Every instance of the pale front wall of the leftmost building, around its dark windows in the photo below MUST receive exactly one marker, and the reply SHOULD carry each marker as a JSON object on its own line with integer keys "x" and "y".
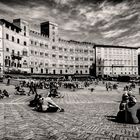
{"x": 9, "y": 46}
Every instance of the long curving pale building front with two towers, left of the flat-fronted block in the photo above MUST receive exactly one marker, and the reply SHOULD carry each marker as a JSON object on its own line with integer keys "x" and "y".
{"x": 31, "y": 50}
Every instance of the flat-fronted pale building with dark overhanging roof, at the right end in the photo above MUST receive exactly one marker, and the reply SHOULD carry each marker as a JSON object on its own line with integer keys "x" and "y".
{"x": 116, "y": 60}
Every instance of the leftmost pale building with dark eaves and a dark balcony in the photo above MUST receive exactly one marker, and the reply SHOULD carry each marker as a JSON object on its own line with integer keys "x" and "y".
{"x": 14, "y": 46}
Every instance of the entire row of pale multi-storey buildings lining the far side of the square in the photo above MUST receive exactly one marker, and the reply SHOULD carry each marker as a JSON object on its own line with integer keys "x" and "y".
{"x": 39, "y": 50}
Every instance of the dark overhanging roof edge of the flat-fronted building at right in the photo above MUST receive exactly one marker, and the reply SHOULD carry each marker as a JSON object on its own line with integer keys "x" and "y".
{"x": 114, "y": 46}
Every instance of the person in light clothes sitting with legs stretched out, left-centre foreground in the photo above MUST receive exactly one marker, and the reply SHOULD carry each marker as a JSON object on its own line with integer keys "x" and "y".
{"x": 48, "y": 105}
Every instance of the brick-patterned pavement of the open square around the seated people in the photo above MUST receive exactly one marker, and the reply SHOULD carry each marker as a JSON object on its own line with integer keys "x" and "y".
{"x": 88, "y": 116}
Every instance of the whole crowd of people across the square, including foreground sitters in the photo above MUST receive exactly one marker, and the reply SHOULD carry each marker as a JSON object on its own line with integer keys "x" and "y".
{"x": 129, "y": 110}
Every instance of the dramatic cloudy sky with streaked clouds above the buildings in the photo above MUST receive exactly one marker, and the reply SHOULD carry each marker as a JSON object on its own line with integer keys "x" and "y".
{"x": 115, "y": 22}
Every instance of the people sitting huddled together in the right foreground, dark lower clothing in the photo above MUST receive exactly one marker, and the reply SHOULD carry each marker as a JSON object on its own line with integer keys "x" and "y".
{"x": 129, "y": 109}
